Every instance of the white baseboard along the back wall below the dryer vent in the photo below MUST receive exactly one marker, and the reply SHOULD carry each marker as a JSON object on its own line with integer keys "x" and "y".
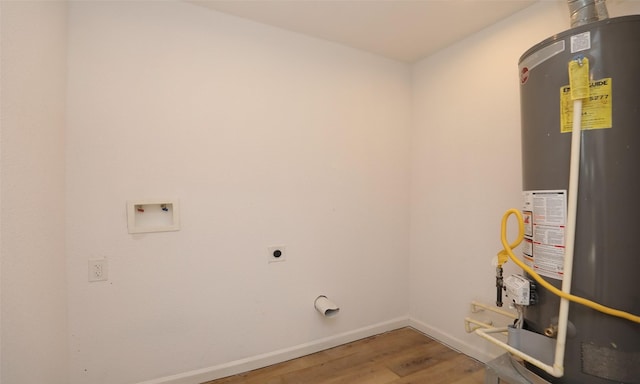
{"x": 260, "y": 361}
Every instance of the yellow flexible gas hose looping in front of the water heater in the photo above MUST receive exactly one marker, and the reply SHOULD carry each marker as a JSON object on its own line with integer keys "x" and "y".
{"x": 507, "y": 253}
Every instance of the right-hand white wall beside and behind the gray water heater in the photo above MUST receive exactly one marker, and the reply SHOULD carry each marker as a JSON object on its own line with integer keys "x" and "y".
{"x": 466, "y": 167}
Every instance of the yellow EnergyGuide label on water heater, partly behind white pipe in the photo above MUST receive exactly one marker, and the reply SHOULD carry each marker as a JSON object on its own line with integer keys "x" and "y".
{"x": 596, "y": 109}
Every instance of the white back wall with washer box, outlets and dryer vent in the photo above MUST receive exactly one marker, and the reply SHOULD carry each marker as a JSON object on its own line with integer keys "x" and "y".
{"x": 266, "y": 137}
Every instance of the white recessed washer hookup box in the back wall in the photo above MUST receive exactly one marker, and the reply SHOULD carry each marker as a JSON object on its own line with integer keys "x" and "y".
{"x": 153, "y": 215}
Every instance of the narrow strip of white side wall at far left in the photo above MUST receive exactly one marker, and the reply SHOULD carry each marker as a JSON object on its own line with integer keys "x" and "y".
{"x": 34, "y": 333}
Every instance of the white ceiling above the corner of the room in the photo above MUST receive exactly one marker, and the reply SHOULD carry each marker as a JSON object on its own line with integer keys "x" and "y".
{"x": 404, "y": 30}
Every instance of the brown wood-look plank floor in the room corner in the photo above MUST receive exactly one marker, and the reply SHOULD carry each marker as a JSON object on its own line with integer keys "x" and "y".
{"x": 403, "y": 356}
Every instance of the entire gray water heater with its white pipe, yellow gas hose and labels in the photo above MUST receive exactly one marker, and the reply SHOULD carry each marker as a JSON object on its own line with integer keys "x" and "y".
{"x": 580, "y": 224}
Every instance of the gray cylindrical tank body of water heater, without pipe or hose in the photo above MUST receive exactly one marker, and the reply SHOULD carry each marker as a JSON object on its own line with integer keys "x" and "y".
{"x": 601, "y": 349}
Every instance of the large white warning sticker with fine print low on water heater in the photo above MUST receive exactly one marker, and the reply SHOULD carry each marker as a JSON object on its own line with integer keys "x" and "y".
{"x": 545, "y": 219}
